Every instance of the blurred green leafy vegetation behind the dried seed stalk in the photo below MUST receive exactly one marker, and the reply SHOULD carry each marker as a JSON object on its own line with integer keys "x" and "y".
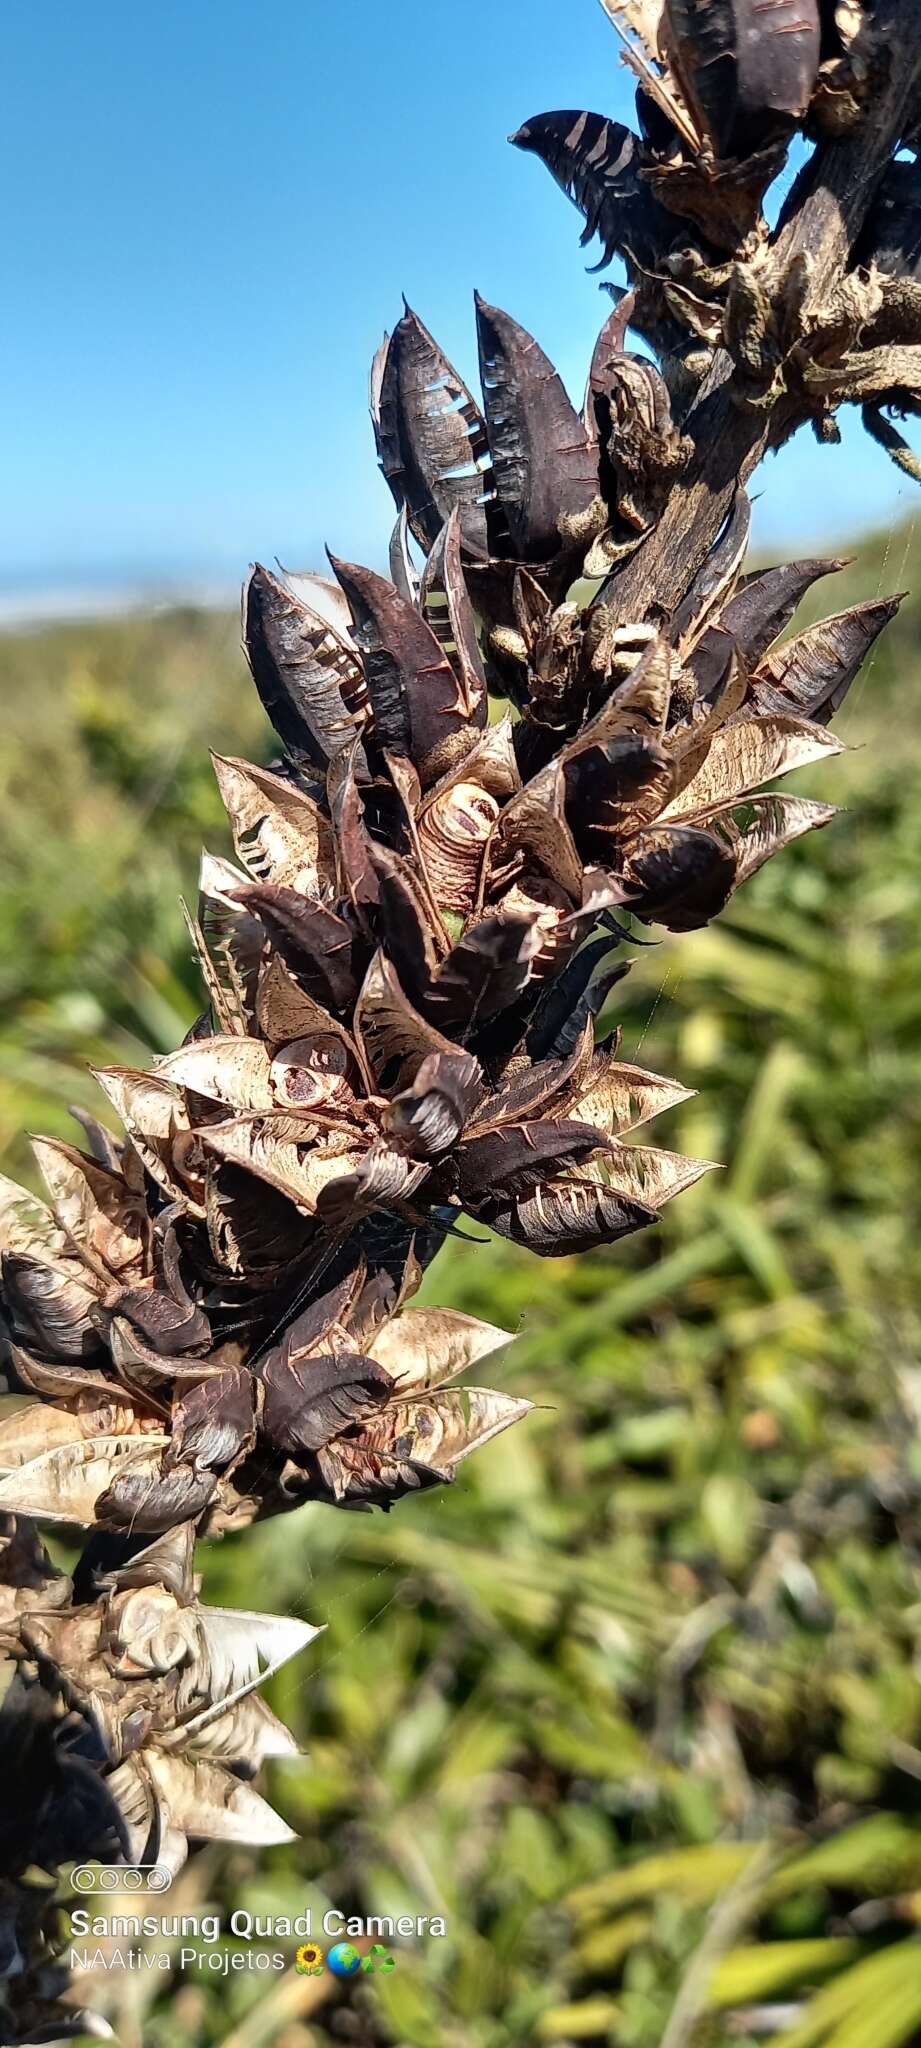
{"x": 635, "y": 1705}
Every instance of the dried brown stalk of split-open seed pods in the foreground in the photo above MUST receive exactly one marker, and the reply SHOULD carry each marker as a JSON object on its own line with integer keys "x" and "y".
{"x": 429, "y": 910}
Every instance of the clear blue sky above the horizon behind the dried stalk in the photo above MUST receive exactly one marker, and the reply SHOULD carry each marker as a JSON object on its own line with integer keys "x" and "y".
{"x": 212, "y": 212}
